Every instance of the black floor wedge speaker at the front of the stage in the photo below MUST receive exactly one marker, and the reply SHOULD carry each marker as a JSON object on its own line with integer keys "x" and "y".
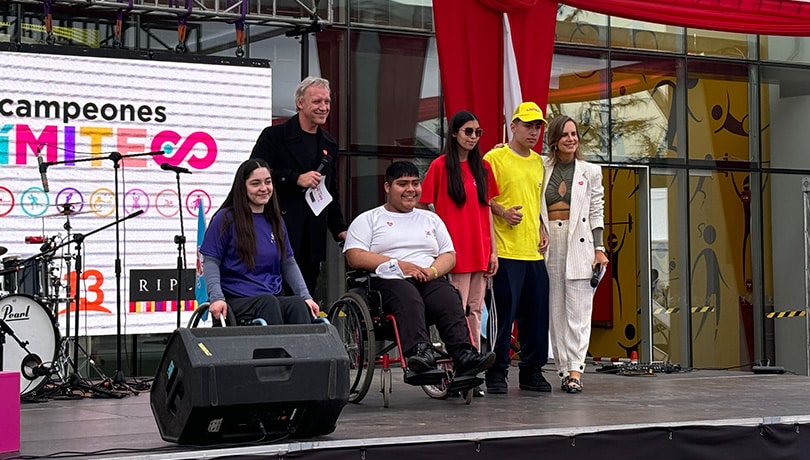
{"x": 250, "y": 383}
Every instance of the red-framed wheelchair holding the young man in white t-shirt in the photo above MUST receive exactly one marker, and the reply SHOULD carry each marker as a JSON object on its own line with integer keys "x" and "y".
{"x": 361, "y": 322}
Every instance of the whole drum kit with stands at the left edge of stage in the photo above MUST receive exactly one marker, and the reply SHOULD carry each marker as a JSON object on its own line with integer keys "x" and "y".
{"x": 30, "y": 299}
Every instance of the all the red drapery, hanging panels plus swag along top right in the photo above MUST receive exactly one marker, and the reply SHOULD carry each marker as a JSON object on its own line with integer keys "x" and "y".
{"x": 469, "y": 38}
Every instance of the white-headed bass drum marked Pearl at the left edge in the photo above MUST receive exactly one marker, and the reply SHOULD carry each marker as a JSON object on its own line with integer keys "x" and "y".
{"x": 32, "y": 323}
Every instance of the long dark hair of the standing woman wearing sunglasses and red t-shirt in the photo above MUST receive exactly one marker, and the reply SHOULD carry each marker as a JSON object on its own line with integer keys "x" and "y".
{"x": 455, "y": 186}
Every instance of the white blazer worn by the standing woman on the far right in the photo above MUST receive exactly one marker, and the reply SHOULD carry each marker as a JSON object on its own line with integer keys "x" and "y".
{"x": 587, "y": 213}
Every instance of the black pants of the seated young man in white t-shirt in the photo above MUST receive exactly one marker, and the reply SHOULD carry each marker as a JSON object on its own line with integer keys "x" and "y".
{"x": 415, "y": 305}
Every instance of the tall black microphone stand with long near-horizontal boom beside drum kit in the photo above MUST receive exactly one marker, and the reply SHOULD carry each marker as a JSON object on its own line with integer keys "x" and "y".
{"x": 116, "y": 158}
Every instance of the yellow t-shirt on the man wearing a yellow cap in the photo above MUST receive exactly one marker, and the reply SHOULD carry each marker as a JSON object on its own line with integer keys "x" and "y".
{"x": 520, "y": 181}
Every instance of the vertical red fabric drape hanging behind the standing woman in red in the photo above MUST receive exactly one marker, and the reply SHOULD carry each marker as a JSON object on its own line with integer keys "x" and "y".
{"x": 469, "y": 39}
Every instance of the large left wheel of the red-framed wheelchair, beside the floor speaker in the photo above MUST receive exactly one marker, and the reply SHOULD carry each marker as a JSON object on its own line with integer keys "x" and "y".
{"x": 351, "y": 317}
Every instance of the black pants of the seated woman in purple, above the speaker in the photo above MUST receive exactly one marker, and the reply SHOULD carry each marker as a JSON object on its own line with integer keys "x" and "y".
{"x": 273, "y": 309}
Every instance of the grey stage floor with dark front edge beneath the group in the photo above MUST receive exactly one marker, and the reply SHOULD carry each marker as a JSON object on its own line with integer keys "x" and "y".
{"x": 697, "y": 414}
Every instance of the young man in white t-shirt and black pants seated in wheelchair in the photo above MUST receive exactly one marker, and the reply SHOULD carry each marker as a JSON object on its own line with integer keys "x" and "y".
{"x": 409, "y": 252}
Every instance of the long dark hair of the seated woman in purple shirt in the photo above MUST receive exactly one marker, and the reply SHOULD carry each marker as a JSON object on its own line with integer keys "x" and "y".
{"x": 241, "y": 216}
